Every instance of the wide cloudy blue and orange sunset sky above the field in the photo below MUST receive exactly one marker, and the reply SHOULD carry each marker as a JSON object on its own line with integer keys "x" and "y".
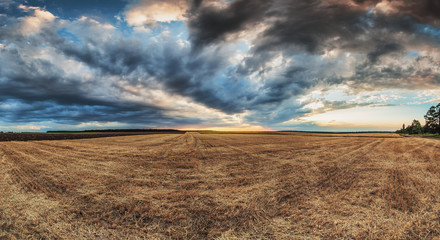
{"x": 317, "y": 65}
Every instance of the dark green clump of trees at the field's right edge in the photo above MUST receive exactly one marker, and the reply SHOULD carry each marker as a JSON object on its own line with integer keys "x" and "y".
{"x": 432, "y": 123}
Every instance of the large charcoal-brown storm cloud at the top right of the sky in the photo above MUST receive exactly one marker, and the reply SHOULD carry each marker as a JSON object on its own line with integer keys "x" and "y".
{"x": 316, "y": 26}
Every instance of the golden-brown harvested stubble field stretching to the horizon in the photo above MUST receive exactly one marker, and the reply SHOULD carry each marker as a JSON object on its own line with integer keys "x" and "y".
{"x": 221, "y": 186}
